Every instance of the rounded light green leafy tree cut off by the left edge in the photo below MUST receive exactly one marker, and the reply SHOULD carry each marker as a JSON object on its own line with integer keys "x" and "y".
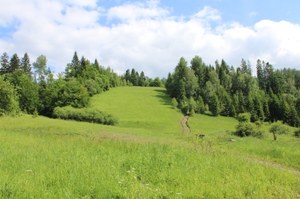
{"x": 8, "y": 100}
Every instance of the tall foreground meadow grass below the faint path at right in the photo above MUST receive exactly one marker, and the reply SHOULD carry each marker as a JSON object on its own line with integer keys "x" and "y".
{"x": 86, "y": 166}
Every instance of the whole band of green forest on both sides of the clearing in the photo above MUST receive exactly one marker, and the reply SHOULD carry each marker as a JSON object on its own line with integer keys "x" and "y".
{"x": 269, "y": 95}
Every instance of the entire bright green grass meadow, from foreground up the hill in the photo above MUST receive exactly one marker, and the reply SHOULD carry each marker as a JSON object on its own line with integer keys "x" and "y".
{"x": 145, "y": 156}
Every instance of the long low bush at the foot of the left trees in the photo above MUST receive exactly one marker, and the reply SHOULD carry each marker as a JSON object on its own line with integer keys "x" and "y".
{"x": 85, "y": 115}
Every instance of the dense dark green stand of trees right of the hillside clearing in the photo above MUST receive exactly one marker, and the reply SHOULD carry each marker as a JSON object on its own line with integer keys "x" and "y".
{"x": 223, "y": 90}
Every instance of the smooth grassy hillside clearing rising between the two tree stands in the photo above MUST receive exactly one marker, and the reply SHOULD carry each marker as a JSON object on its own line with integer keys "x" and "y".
{"x": 143, "y": 110}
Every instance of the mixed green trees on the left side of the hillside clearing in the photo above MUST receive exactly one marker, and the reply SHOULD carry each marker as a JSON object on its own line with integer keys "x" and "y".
{"x": 34, "y": 89}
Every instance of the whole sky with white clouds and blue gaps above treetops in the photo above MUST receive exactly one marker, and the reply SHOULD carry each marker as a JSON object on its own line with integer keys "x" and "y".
{"x": 152, "y": 35}
